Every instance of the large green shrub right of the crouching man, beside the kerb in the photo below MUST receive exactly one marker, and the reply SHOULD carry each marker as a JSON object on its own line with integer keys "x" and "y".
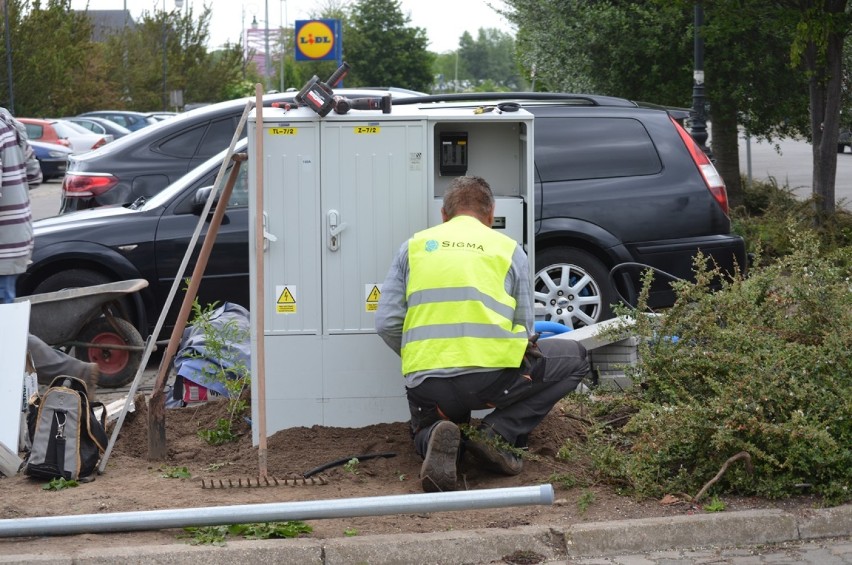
{"x": 761, "y": 365}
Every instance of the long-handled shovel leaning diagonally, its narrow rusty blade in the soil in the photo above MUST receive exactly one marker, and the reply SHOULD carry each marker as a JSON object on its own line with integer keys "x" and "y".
{"x": 157, "y": 405}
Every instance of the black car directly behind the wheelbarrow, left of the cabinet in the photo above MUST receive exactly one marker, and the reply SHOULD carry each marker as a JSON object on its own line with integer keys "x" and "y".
{"x": 147, "y": 241}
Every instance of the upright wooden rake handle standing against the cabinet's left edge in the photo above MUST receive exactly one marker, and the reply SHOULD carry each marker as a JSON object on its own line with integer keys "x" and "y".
{"x": 260, "y": 304}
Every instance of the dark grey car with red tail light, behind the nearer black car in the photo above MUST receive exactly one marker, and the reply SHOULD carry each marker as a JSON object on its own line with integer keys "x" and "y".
{"x": 145, "y": 163}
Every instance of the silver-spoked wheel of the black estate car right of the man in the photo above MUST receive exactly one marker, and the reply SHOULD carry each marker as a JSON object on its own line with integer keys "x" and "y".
{"x": 573, "y": 286}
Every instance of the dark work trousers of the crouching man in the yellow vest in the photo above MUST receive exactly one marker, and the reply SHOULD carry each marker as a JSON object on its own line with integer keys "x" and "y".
{"x": 520, "y": 401}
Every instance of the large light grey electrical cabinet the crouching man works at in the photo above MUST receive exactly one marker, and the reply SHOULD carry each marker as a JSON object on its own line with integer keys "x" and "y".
{"x": 340, "y": 195}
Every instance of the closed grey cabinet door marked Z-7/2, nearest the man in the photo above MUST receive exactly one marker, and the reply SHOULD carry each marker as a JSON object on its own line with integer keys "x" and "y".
{"x": 367, "y": 179}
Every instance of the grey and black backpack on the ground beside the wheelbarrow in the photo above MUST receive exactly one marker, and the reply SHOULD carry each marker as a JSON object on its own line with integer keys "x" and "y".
{"x": 67, "y": 438}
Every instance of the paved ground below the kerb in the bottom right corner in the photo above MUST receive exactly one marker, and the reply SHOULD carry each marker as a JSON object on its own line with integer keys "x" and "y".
{"x": 823, "y": 552}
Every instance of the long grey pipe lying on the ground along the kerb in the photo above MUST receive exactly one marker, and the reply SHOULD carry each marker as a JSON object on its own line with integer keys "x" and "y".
{"x": 277, "y": 512}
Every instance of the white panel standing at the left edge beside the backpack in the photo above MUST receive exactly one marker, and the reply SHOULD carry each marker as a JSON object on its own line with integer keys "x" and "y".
{"x": 15, "y": 323}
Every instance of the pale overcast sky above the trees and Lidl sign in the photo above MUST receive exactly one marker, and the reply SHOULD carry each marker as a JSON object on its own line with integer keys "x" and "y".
{"x": 444, "y": 20}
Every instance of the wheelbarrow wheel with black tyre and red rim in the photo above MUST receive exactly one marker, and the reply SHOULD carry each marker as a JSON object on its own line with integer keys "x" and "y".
{"x": 117, "y": 366}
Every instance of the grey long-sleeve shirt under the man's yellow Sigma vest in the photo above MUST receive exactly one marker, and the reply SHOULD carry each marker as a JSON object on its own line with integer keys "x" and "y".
{"x": 390, "y": 315}
